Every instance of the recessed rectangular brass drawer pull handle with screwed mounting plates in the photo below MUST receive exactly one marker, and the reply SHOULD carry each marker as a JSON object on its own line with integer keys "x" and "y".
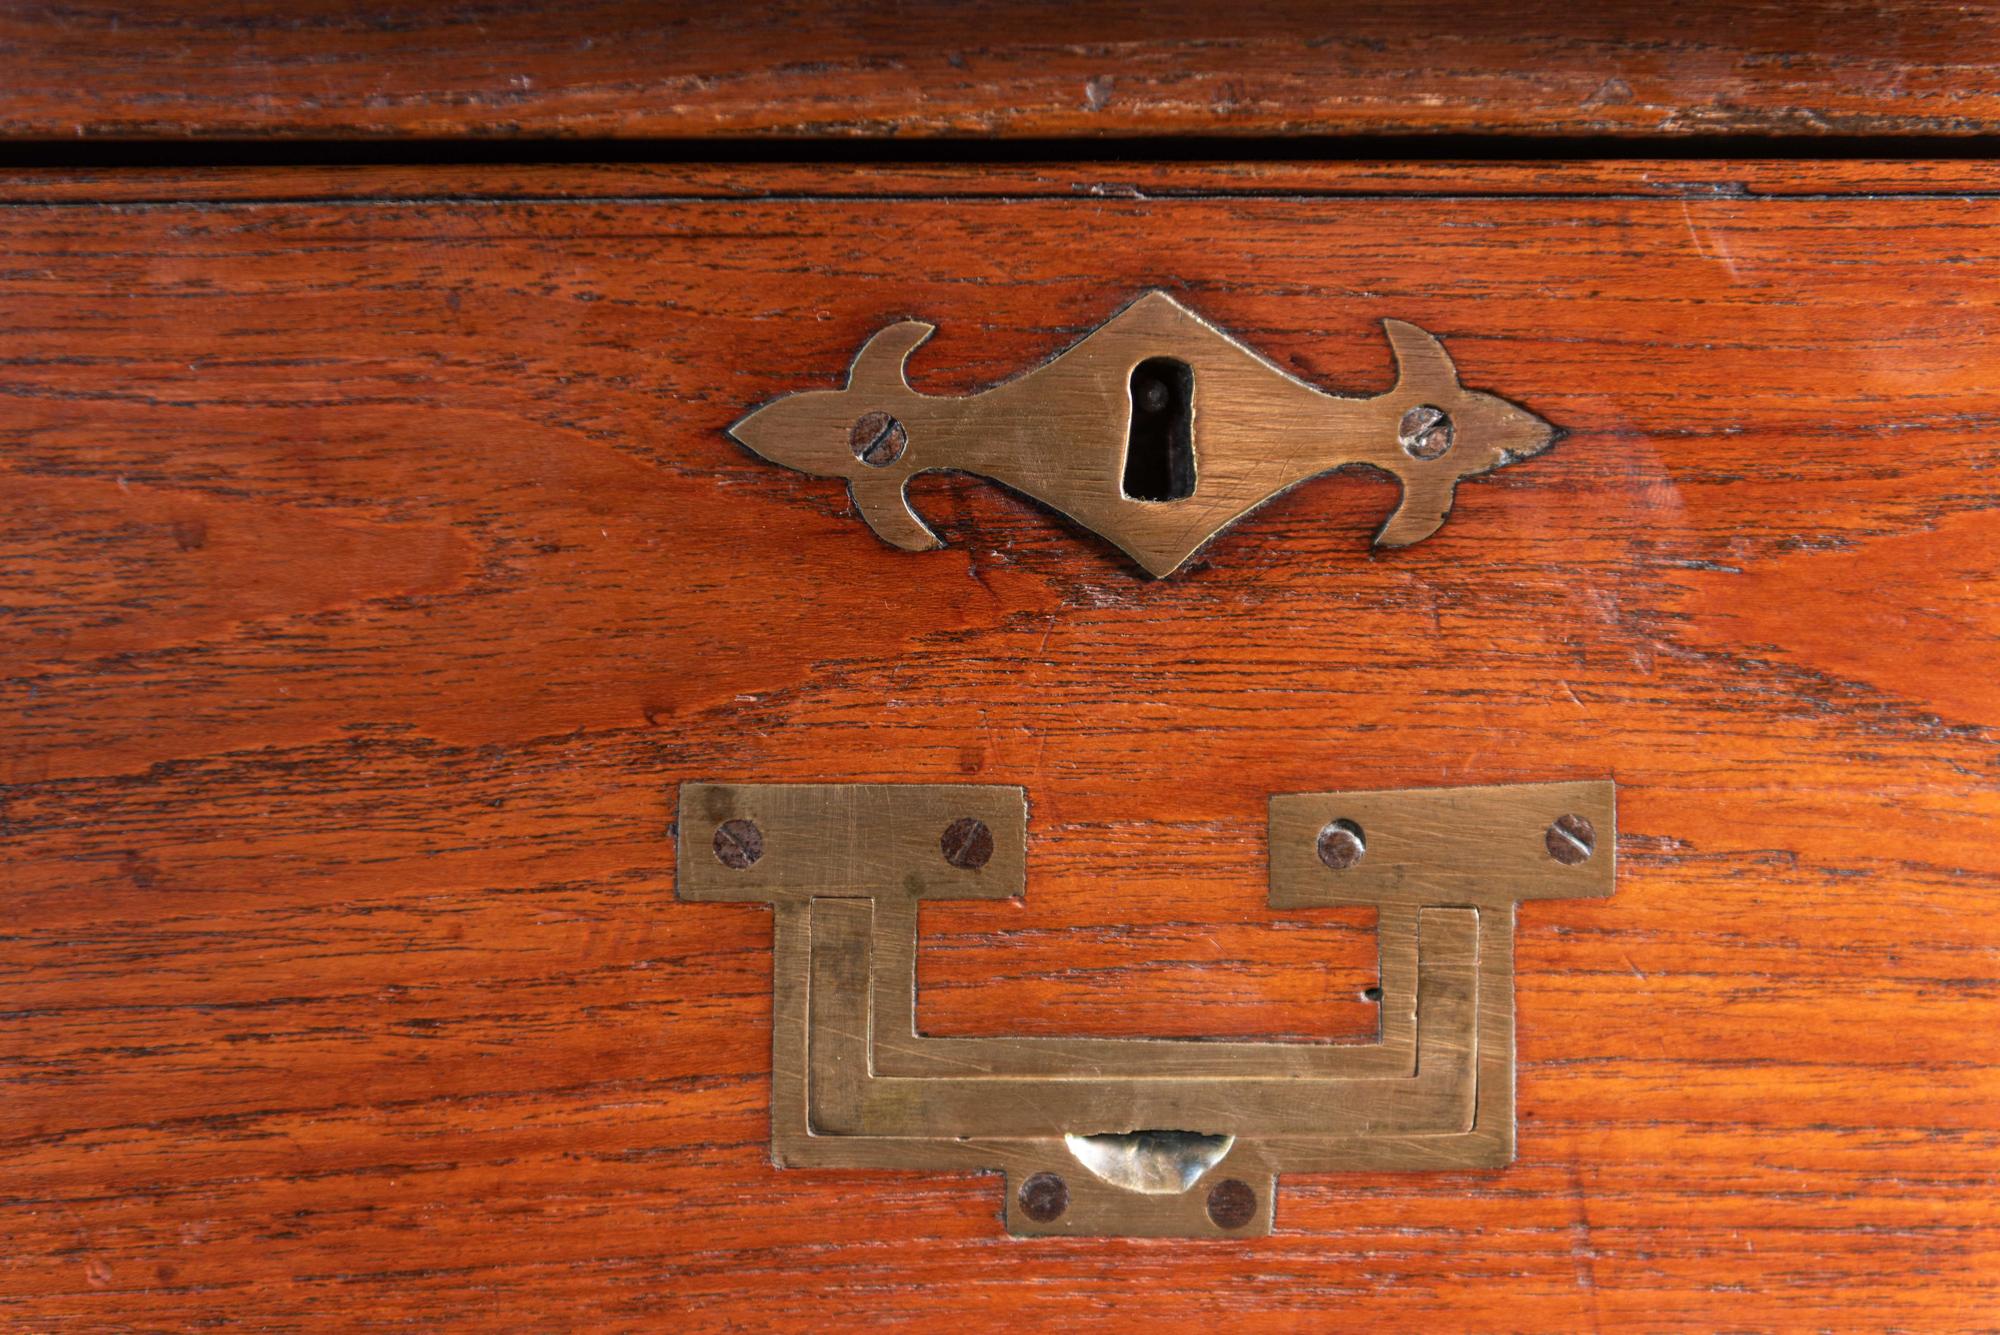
{"x": 1141, "y": 1136}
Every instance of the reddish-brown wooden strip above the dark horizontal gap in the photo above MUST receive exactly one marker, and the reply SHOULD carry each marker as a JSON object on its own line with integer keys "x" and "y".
{"x": 327, "y": 69}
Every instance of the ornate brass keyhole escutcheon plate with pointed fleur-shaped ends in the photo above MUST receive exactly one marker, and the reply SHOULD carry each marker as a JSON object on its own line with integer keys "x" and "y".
{"x": 1079, "y": 433}
